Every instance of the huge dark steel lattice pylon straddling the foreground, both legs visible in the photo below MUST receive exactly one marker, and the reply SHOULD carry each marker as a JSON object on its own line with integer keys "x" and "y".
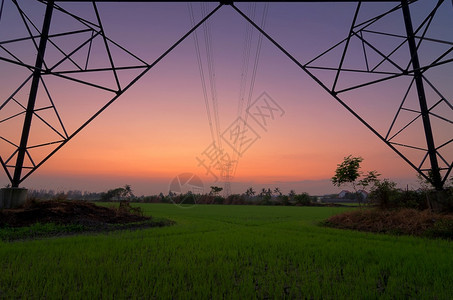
{"x": 41, "y": 70}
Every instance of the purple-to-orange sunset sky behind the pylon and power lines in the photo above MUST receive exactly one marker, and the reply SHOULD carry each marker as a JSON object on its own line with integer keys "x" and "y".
{"x": 158, "y": 128}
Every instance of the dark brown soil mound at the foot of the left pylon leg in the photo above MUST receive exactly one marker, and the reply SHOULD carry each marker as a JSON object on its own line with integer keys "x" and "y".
{"x": 69, "y": 212}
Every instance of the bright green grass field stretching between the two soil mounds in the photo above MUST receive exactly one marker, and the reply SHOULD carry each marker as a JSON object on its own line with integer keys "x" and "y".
{"x": 229, "y": 252}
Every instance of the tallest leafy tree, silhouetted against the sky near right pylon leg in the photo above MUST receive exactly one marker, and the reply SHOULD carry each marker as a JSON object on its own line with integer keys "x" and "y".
{"x": 348, "y": 172}
